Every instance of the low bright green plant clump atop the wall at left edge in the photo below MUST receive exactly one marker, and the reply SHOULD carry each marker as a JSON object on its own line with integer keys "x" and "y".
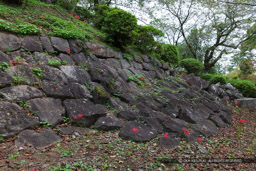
{"x": 19, "y": 27}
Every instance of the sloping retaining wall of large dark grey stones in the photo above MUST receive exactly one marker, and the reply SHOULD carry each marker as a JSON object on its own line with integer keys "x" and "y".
{"x": 105, "y": 90}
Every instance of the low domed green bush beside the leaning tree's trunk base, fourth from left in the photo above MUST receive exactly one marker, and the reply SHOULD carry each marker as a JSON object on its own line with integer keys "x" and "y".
{"x": 192, "y": 65}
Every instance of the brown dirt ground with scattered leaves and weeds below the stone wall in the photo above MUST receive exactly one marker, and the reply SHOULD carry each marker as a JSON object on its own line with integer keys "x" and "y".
{"x": 98, "y": 150}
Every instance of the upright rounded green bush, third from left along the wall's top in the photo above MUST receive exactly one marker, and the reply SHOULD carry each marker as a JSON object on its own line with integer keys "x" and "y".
{"x": 168, "y": 53}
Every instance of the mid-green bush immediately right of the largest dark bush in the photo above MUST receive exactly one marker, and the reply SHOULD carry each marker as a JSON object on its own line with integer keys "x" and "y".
{"x": 144, "y": 38}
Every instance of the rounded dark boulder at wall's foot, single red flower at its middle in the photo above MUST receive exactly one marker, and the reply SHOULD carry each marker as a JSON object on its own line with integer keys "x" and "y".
{"x": 137, "y": 132}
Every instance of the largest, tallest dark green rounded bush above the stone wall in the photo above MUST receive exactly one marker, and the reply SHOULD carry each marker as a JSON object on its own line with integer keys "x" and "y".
{"x": 117, "y": 24}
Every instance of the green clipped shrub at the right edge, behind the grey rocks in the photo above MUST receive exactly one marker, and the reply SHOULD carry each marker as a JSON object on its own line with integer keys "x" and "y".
{"x": 246, "y": 87}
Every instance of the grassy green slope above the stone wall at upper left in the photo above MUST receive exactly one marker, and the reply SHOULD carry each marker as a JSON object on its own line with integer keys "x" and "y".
{"x": 51, "y": 20}
